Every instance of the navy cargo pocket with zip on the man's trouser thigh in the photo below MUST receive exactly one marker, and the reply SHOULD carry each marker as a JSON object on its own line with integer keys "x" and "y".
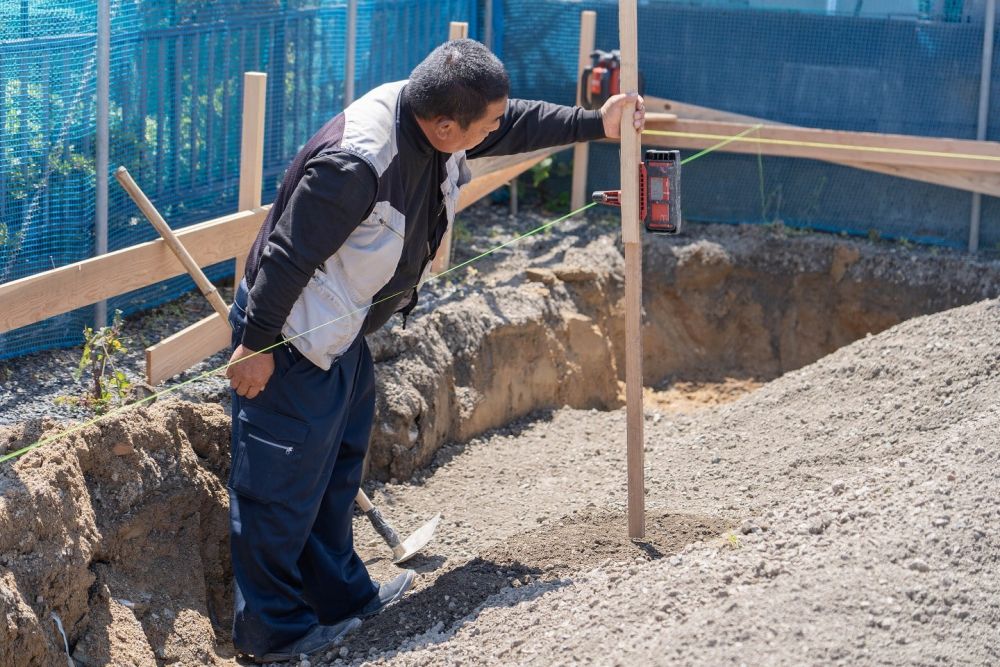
{"x": 268, "y": 457}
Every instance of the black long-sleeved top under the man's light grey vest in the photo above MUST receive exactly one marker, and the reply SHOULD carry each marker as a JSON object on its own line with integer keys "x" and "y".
{"x": 338, "y": 190}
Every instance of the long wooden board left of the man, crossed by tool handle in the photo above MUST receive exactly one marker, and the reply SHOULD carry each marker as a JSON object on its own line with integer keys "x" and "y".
{"x": 43, "y": 295}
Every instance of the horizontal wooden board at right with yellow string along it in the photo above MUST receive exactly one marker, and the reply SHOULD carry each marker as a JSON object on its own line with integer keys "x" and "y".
{"x": 834, "y": 145}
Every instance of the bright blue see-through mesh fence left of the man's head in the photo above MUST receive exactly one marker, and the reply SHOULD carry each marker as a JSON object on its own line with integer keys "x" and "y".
{"x": 175, "y": 111}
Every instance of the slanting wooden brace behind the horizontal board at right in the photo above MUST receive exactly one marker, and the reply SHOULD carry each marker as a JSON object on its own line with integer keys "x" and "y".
{"x": 982, "y": 182}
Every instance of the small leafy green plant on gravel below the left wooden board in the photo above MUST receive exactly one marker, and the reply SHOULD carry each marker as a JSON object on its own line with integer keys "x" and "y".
{"x": 109, "y": 385}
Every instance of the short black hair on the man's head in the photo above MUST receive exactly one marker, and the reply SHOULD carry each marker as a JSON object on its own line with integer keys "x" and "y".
{"x": 457, "y": 80}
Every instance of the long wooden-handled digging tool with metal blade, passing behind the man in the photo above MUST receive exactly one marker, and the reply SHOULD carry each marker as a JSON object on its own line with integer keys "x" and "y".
{"x": 402, "y": 550}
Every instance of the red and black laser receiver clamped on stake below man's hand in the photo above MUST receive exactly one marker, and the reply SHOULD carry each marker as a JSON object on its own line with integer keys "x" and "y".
{"x": 659, "y": 192}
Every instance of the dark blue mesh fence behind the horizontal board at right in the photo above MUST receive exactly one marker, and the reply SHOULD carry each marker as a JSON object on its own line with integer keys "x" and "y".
{"x": 876, "y": 67}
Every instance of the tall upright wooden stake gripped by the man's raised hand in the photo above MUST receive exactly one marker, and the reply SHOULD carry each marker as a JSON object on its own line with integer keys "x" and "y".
{"x": 631, "y": 149}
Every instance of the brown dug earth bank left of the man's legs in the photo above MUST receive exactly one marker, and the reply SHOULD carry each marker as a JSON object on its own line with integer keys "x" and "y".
{"x": 120, "y": 531}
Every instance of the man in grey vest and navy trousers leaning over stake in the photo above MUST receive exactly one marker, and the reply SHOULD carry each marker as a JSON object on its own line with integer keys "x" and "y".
{"x": 359, "y": 216}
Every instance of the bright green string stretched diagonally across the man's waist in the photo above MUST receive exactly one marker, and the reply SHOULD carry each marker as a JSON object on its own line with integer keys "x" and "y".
{"x": 76, "y": 429}
